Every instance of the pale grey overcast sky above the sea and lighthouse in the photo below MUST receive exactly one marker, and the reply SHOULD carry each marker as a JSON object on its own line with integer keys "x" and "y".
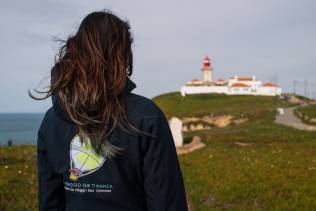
{"x": 242, "y": 37}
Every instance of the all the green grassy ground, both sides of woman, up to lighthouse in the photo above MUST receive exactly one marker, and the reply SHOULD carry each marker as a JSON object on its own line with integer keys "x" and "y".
{"x": 274, "y": 168}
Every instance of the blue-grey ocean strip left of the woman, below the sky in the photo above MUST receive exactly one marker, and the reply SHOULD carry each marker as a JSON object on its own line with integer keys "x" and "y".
{"x": 21, "y": 128}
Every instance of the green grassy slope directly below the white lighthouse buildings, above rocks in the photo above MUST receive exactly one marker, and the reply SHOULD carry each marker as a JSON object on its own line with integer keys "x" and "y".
{"x": 218, "y": 104}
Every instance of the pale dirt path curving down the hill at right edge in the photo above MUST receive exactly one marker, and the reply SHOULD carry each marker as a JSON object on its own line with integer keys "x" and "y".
{"x": 289, "y": 119}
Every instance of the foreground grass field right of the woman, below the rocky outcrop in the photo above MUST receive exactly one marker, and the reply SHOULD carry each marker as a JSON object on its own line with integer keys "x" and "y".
{"x": 277, "y": 171}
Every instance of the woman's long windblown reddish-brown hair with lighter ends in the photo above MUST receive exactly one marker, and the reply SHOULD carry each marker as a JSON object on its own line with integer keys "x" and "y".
{"x": 90, "y": 75}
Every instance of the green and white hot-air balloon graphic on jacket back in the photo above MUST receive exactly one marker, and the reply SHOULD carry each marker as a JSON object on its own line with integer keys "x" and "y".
{"x": 83, "y": 160}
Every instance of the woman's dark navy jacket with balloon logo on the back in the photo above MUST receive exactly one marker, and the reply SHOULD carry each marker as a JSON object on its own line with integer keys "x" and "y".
{"x": 147, "y": 176}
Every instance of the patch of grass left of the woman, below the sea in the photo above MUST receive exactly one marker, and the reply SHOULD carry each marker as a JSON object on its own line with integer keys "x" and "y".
{"x": 18, "y": 183}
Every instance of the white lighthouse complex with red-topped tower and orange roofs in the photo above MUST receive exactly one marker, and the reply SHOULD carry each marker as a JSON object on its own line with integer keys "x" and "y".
{"x": 233, "y": 86}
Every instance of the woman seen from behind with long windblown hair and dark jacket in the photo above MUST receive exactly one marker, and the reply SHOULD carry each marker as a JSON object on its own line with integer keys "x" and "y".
{"x": 100, "y": 146}
